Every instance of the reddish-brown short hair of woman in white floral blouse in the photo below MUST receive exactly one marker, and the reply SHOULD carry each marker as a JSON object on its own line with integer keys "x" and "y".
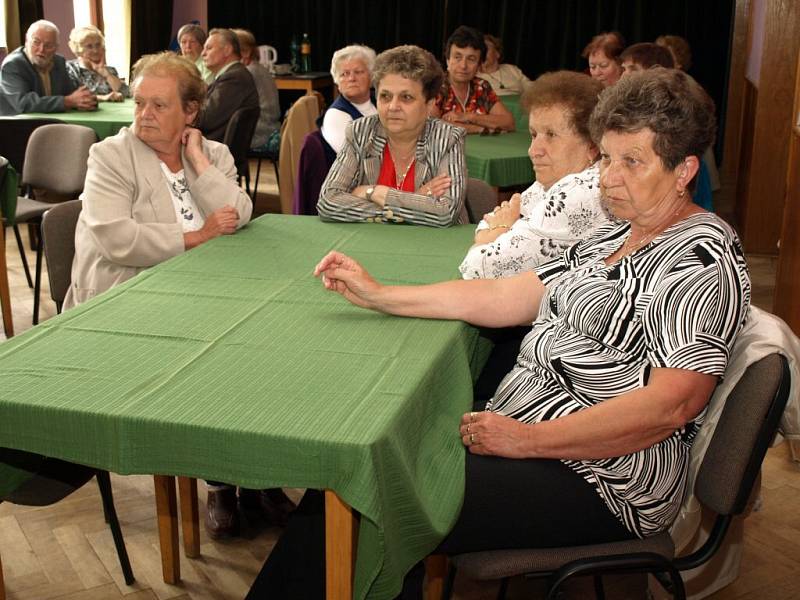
{"x": 576, "y": 92}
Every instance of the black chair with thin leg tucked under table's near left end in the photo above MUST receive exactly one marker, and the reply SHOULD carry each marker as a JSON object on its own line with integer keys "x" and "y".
{"x": 53, "y": 480}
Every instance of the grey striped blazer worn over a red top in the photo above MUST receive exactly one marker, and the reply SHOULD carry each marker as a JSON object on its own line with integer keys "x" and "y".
{"x": 440, "y": 150}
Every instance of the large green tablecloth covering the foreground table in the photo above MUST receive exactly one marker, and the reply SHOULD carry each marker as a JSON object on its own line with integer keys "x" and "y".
{"x": 230, "y": 362}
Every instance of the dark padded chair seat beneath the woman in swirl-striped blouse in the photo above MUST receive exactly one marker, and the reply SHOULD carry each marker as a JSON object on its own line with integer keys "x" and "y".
{"x": 499, "y": 564}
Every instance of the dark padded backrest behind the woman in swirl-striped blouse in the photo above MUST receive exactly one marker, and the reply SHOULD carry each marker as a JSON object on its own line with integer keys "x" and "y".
{"x": 745, "y": 429}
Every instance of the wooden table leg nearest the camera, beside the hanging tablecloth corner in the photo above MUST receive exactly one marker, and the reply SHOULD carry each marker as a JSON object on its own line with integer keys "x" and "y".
{"x": 340, "y": 547}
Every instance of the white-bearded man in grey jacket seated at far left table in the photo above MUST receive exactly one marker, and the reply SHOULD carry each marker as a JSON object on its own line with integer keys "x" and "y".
{"x": 34, "y": 78}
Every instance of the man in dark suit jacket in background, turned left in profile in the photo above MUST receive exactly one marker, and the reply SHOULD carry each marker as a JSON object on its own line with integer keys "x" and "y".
{"x": 233, "y": 86}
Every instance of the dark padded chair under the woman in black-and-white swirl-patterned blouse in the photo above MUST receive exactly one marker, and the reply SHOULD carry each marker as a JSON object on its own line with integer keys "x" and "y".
{"x": 725, "y": 480}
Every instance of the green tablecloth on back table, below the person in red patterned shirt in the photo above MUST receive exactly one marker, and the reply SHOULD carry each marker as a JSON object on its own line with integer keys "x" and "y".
{"x": 500, "y": 160}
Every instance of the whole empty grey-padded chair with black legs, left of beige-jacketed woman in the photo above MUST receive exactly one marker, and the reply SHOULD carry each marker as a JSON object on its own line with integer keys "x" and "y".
{"x": 55, "y": 161}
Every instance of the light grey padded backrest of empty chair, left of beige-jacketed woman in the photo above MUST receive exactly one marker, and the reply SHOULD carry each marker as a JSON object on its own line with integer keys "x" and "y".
{"x": 57, "y": 156}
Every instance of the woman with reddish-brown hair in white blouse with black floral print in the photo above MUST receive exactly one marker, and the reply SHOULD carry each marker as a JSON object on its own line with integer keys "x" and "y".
{"x": 563, "y": 206}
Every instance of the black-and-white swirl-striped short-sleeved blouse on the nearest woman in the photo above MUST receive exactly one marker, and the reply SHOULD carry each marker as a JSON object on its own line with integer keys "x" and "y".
{"x": 677, "y": 302}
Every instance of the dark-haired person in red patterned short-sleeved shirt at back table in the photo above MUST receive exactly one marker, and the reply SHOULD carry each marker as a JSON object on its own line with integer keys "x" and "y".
{"x": 466, "y": 100}
